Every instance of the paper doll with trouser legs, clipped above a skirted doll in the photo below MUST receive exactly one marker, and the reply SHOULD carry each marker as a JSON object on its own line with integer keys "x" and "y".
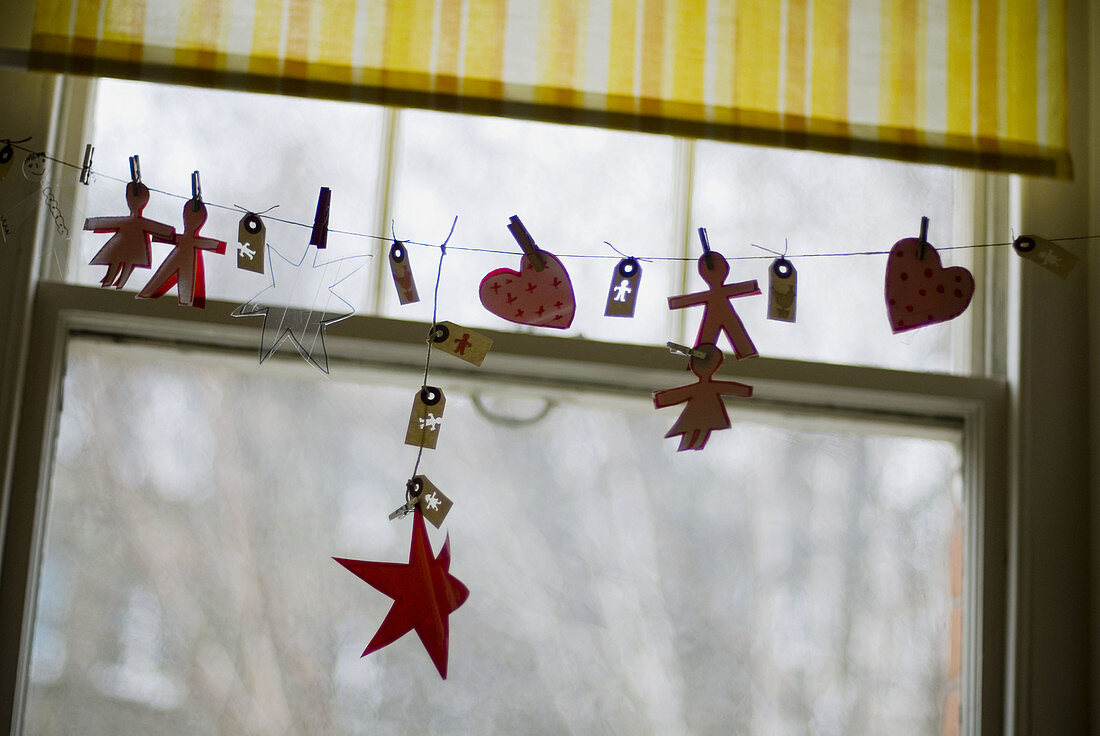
{"x": 719, "y": 315}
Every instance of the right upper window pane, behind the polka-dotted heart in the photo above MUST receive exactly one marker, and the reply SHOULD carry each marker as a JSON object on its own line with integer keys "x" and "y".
{"x": 830, "y": 204}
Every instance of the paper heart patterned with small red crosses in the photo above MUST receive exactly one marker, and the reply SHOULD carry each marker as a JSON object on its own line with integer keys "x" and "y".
{"x": 543, "y": 299}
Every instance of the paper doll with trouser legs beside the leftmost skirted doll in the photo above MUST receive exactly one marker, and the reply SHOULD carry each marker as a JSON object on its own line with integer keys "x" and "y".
{"x": 184, "y": 266}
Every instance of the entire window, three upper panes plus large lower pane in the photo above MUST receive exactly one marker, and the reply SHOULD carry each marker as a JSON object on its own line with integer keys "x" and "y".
{"x": 822, "y": 565}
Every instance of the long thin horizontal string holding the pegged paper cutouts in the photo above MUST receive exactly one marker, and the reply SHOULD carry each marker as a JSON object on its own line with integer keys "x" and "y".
{"x": 560, "y": 256}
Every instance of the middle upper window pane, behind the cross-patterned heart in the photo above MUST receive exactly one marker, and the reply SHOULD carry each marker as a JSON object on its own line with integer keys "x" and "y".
{"x": 574, "y": 189}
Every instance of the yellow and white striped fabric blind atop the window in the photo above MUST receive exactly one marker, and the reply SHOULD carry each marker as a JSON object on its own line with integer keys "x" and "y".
{"x": 967, "y": 83}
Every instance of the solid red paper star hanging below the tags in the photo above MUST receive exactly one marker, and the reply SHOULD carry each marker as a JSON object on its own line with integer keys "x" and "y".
{"x": 424, "y": 594}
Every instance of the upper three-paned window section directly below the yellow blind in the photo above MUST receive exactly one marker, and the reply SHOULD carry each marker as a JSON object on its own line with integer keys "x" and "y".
{"x": 411, "y": 172}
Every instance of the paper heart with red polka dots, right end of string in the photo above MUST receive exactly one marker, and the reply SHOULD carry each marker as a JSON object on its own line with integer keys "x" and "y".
{"x": 922, "y": 292}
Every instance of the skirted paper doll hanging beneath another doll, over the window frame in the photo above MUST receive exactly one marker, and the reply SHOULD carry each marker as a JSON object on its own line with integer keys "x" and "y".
{"x": 705, "y": 411}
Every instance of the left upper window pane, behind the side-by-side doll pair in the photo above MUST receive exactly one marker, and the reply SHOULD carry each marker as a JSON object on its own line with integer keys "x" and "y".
{"x": 251, "y": 150}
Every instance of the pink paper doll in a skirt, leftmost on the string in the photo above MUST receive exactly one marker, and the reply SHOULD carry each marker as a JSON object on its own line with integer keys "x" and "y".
{"x": 129, "y": 248}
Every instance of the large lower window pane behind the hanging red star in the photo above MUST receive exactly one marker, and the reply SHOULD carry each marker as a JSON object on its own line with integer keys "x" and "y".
{"x": 786, "y": 580}
